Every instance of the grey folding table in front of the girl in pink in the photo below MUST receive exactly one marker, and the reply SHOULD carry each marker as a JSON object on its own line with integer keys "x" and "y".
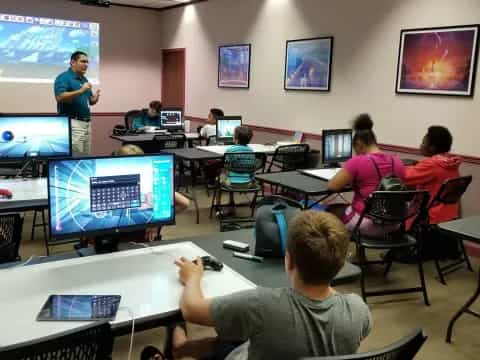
{"x": 306, "y": 185}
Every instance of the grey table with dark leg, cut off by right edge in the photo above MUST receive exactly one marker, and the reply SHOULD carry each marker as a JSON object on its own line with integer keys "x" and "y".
{"x": 469, "y": 229}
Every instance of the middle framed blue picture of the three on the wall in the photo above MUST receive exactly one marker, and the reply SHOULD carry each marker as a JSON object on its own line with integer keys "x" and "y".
{"x": 308, "y": 64}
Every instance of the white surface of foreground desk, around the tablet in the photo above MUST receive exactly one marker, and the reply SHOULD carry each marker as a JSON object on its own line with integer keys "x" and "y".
{"x": 146, "y": 279}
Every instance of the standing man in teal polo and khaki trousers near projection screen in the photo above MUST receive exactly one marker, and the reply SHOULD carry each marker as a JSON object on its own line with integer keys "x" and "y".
{"x": 74, "y": 96}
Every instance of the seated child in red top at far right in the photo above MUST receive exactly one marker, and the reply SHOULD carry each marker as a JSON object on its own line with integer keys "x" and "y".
{"x": 430, "y": 173}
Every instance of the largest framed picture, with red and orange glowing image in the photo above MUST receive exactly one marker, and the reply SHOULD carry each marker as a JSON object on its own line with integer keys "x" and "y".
{"x": 438, "y": 61}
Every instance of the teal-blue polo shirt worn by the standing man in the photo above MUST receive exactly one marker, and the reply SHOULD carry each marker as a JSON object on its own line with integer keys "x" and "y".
{"x": 78, "y": 108}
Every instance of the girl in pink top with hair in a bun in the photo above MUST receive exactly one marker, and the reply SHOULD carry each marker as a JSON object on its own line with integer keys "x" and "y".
{"x": 362, "y": 173}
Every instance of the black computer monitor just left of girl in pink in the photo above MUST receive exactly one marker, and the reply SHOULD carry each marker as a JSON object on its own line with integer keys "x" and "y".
{"x": 336, "y": 146}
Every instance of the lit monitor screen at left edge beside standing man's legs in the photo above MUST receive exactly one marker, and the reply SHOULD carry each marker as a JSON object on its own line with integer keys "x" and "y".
{"x": 26, "y": 137}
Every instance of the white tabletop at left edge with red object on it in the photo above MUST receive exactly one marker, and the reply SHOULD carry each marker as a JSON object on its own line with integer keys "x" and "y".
{"x": 29, "y": 194}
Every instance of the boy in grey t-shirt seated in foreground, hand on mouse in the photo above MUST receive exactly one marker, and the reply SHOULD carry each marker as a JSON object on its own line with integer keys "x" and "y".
{"x": 310, "y": 318}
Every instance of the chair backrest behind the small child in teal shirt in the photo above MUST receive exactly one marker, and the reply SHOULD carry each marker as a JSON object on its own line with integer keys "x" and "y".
{"x": 244, "y": 162}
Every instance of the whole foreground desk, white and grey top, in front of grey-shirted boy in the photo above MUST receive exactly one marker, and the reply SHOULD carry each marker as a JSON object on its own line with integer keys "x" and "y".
{"x": 133, "y": 268}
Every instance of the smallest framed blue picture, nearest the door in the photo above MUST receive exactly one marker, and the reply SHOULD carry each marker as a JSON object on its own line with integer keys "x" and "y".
{"x": 234, "y": 66}
